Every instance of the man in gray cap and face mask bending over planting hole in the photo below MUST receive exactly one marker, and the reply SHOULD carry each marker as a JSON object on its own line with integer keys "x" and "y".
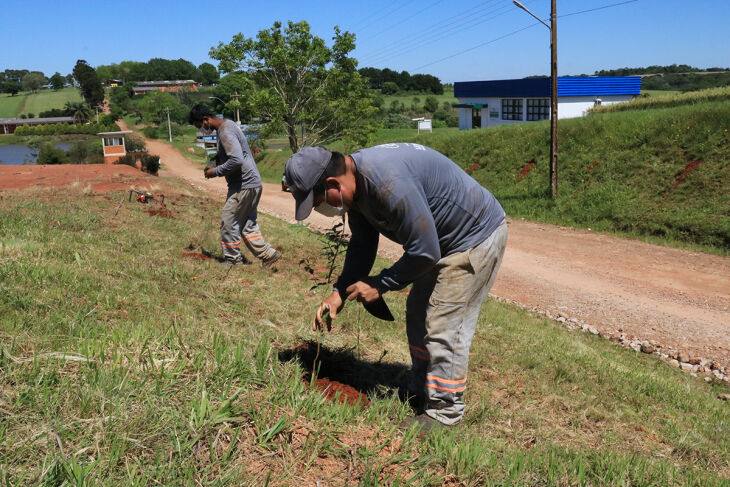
{"x": 453, "y": 232}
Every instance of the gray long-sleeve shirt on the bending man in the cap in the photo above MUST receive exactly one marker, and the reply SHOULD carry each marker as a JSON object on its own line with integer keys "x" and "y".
{"x": 421, "y": 199}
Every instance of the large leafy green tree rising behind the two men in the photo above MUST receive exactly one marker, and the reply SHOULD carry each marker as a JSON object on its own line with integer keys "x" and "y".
{"x": 298, "y": 81}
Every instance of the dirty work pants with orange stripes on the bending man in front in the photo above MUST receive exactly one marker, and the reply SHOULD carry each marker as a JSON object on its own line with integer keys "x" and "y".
{"x": 441, "y": 317}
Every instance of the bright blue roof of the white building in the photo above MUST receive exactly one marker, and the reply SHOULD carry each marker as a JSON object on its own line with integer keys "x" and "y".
{"x": 540, "y": 87}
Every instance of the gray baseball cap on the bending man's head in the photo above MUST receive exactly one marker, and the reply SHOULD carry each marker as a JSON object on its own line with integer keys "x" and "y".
{"x": 303, "y": 170}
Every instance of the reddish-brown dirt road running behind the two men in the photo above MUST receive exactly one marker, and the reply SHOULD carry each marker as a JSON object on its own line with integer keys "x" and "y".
{"x": 677, "y": 299}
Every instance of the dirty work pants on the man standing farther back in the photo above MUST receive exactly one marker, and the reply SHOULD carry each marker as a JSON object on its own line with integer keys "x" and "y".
{"x": 238, "y": 222}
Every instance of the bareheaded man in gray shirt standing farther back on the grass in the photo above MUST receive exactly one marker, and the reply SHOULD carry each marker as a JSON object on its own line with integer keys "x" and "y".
{"x": 239, "y": 215}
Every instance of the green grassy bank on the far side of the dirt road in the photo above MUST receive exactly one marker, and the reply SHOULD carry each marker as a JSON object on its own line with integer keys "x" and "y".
{"x": 652, "y": 173}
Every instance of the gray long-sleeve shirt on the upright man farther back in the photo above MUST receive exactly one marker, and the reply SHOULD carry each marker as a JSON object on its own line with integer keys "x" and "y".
{"x": 235, "y": 159}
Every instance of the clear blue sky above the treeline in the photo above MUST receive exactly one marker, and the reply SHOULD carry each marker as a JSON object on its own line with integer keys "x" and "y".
{"x": 419, "y": 36}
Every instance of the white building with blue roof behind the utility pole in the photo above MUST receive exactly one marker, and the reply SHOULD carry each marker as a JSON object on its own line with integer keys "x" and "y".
{"x": 501, "y": 102}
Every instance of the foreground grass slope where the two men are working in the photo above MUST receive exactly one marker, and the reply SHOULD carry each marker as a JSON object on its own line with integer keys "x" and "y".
{"x": 127, "y": 358}
